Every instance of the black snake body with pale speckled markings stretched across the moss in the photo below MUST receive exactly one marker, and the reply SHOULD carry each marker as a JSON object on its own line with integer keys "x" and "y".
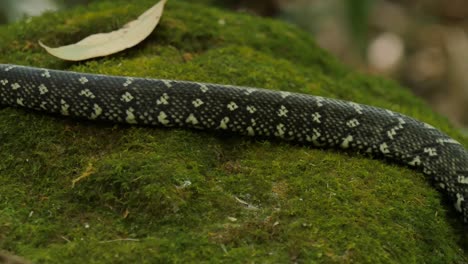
{"x": 319, "y": 121}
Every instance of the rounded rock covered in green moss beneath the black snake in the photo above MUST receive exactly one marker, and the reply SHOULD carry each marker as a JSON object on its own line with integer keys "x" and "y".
{"x": 159, "y": 195}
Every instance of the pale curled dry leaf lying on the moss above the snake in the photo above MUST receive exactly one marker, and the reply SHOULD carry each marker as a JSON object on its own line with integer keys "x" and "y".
{"x": 104, "y": 44}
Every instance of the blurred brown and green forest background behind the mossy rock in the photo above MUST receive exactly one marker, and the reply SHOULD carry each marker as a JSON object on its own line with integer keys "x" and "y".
{"x": 423, "y": 44}
